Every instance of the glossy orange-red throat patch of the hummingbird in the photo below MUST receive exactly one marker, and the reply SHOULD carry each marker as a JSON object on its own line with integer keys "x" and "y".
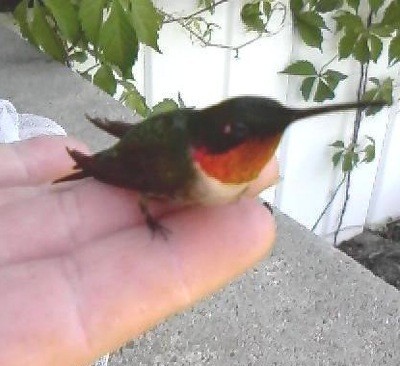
{"x": 240, "y": 164}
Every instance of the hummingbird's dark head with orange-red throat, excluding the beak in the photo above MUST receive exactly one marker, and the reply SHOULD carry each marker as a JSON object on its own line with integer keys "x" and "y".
{"x": 233, "y": 140}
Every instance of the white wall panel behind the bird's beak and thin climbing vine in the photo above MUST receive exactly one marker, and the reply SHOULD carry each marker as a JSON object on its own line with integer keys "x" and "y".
{"x": 308, "y": 176}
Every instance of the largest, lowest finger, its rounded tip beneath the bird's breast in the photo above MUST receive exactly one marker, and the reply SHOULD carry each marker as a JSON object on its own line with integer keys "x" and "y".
{"x": 106, "y": 294}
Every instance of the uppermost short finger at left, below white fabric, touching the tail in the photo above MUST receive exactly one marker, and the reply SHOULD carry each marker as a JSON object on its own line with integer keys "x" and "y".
{"x": 37, "y": 160}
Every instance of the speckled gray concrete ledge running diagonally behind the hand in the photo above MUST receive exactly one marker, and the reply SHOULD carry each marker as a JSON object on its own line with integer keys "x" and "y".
{"x": 308, "y": 304}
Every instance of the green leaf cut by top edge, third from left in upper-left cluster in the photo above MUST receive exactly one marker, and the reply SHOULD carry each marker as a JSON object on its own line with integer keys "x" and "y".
{"x": 66, "y": 17}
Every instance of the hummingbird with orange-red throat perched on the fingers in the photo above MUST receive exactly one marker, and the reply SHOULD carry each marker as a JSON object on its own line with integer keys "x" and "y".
{"x": 197, "y": 156}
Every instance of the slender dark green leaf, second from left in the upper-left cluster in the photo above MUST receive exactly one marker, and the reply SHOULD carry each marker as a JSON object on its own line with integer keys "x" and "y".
{"x": 45, "y": 35}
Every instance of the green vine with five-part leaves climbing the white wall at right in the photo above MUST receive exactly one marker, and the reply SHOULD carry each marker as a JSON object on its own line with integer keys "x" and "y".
{"x": 361, "y": 38}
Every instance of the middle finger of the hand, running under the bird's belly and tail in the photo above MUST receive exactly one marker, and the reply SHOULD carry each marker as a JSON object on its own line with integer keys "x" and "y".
{"x": 54, "y": 223}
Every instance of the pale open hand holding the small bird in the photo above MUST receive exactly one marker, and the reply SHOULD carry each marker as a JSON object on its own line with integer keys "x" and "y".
{"x": 80, "y": 273}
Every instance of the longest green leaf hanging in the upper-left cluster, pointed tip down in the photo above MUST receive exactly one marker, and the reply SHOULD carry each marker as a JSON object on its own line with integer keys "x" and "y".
{"x": 118, "y": 40}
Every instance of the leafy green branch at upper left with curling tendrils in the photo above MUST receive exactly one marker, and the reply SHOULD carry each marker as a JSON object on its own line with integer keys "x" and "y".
{"x": 102, "y": 38}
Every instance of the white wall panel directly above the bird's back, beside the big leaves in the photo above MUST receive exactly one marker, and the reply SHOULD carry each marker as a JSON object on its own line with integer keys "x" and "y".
{"x": 184, "y": 66}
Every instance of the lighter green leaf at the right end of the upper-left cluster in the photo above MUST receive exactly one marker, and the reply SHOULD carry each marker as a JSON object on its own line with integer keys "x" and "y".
{"x": 147, "y": 22}
